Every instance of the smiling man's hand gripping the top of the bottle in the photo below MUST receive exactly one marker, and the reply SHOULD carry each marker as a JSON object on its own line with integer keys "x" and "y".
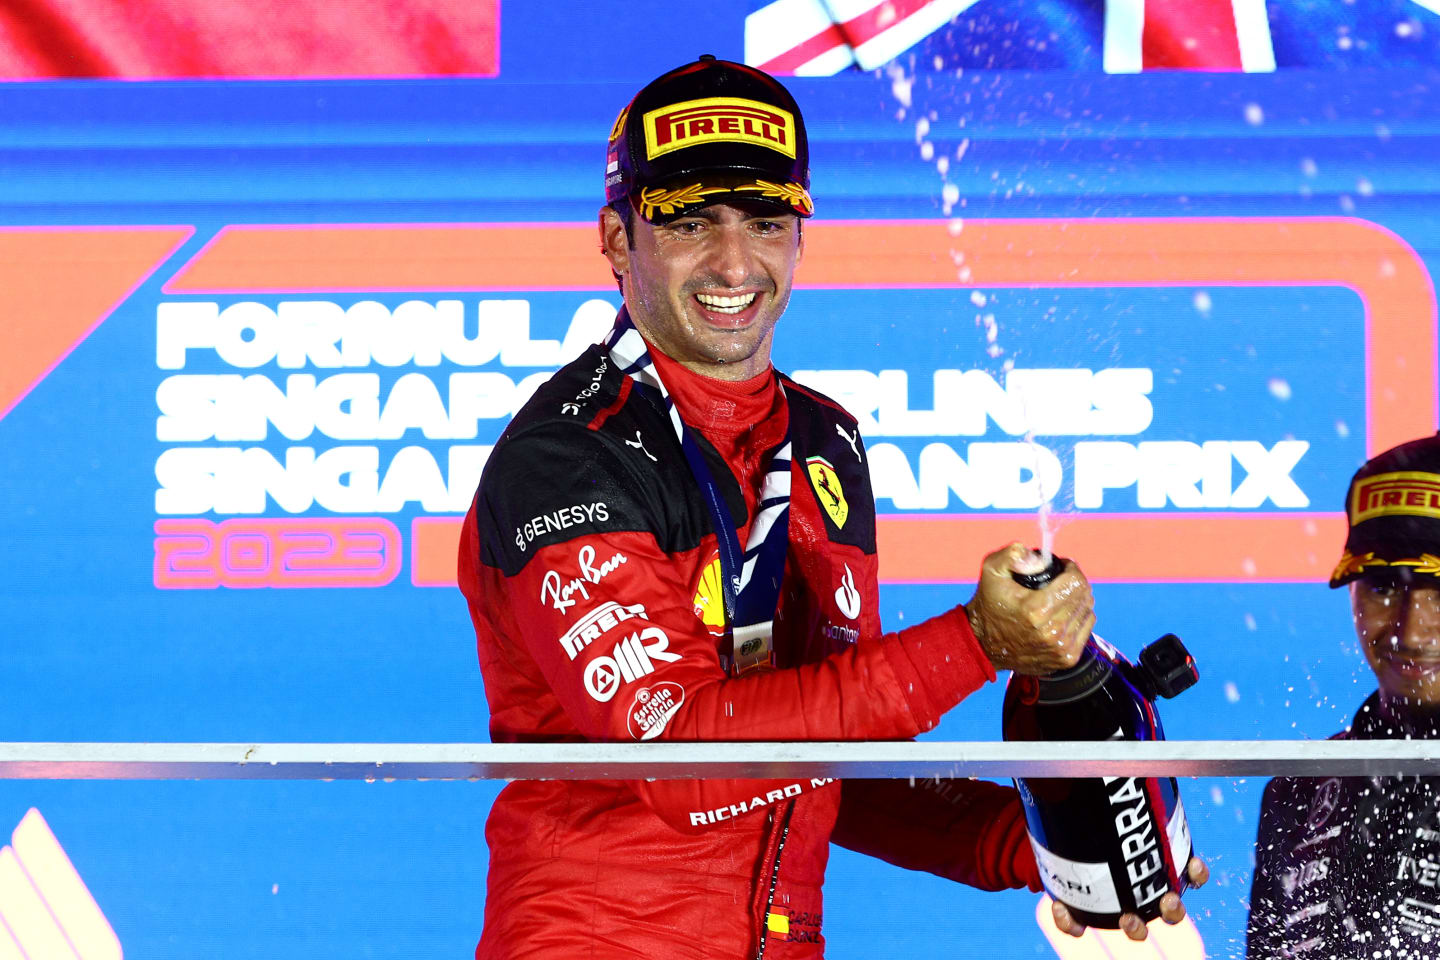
{"x": 1027, "y": 631}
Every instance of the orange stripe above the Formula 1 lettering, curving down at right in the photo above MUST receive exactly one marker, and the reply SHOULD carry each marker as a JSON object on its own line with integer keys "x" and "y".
{"x": 1383, "y": 270}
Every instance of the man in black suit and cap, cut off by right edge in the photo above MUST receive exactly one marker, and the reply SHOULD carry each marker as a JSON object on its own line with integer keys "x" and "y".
{"x": 1351, "y": 867}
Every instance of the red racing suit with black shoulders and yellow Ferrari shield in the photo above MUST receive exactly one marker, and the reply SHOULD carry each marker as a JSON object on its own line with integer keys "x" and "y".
{"x": 591, "y": 569}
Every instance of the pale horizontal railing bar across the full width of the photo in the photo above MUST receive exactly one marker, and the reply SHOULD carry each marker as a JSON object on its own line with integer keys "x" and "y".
{"x": 690, "y": 761}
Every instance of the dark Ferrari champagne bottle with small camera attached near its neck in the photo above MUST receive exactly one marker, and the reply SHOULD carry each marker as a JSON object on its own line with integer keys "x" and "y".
{"x": 1105, "y": 846}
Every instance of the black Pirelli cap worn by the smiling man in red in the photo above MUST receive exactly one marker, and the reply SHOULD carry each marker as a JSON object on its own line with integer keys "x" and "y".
{"x": 706, "y": 133}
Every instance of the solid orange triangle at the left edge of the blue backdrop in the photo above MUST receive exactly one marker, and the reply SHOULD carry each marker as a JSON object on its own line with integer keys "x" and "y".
{"x": 60, "y": 284}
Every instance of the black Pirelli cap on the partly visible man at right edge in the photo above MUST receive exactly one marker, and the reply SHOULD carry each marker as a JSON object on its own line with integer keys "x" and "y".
{"x": 1393, "y": 507}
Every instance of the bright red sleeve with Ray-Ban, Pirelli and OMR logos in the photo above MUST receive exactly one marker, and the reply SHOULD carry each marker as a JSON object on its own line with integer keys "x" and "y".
{"x": 610, "y": 622}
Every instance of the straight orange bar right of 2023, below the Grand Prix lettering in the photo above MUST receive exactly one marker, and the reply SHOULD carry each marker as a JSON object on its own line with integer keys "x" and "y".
{"x": 1115, "y": 548}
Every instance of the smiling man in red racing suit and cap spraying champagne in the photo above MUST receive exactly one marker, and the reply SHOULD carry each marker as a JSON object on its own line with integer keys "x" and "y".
{"x": 675, "y": 542}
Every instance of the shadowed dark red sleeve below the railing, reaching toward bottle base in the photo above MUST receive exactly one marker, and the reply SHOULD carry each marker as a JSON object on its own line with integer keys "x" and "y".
{"x": 968, "y": 831}
